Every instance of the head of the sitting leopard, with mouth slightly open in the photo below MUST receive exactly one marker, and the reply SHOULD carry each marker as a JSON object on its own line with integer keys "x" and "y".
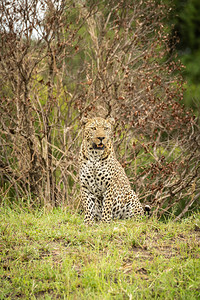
{"x": 97, "y": 132}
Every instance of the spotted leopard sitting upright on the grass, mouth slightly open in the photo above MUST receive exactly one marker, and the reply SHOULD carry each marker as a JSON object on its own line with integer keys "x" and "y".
{"x": 105, "y": 189}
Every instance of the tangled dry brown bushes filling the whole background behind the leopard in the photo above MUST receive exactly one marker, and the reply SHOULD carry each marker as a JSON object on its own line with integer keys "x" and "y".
{"x": 62, "y": 60}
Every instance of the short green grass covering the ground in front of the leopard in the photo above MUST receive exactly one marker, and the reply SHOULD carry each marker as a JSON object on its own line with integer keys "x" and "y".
{"x": 55, "y": 256}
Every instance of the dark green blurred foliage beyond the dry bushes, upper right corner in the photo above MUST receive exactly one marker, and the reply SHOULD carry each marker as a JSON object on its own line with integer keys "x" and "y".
{"x": 186, "y": 18}
